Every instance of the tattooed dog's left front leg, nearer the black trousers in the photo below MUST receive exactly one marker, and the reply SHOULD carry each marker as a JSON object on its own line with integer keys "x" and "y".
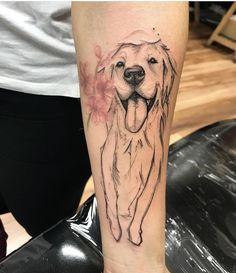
{"x": 109, "y": 184}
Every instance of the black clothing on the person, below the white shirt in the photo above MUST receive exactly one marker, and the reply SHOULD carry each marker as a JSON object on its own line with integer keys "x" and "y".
{"x": 42, "y": 171}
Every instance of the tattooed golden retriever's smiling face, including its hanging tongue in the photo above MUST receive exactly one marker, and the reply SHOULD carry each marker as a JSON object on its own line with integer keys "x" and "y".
{"x": 139, "y": 73}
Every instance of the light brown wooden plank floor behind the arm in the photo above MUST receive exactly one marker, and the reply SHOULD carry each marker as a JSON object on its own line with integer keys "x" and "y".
{"x": 207, "y": 94}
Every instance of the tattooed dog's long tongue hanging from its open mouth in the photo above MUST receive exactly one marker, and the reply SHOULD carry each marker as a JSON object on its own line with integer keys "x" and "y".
{"x": 136, "y": 114}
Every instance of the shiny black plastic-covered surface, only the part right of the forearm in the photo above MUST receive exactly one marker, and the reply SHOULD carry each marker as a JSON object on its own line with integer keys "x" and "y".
{"x": 201, "y": 201}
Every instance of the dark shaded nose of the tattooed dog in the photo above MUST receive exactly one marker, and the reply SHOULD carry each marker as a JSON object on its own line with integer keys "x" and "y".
{"x": 134, "y": 75}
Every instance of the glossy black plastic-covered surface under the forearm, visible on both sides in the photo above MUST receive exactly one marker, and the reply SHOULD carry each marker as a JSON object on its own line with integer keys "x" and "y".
{"x": 201, "y": 216}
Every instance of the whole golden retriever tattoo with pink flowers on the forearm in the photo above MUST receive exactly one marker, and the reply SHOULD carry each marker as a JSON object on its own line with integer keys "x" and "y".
{"x": 130, "y": 93}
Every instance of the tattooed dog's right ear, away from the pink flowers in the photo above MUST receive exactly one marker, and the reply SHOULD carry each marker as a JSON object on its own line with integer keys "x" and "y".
{"x": 169, "y": 73}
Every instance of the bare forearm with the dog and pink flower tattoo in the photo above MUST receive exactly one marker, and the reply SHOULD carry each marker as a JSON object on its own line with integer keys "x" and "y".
{"x": 130, "y": 58}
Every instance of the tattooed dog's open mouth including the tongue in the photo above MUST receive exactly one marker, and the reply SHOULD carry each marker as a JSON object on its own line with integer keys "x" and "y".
{"x": 136, "y": 108}
